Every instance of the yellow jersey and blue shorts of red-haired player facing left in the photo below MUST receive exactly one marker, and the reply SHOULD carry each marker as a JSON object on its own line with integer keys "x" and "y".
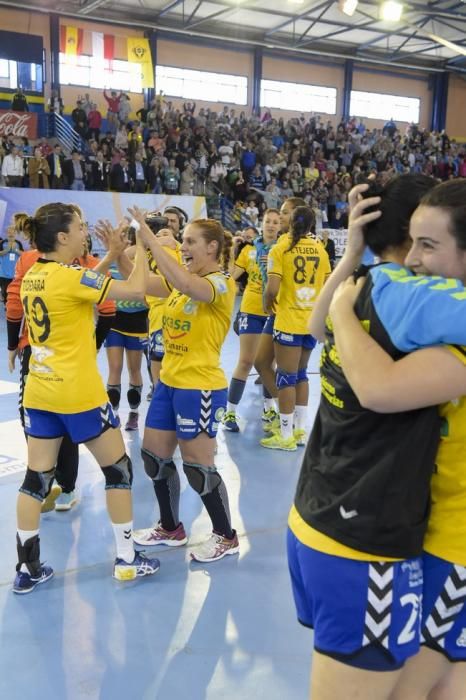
{"x": 191, "y": 394}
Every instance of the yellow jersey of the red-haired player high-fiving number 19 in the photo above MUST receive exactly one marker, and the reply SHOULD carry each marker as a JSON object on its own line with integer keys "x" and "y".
{"x": 193, "y": 334}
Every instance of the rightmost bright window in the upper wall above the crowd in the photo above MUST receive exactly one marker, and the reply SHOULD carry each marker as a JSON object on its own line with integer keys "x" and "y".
{"x": 374, "y": 105}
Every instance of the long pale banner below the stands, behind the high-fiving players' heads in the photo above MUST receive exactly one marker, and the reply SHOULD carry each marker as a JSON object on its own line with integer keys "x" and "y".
{"x": 95, "y": 205}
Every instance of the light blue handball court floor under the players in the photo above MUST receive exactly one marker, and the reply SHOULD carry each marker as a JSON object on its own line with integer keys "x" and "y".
{"x": 191, "y": 632}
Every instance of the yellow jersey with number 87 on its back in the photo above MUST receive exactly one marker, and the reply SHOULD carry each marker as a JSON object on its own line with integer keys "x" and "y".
{"x": 303, "y": 271}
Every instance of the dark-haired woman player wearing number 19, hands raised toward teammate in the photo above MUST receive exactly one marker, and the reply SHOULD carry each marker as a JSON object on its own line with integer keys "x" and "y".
{"x": 64, "y": 393}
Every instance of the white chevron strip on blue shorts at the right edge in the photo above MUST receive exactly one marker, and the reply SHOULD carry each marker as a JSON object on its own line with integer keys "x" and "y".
{"x": 448, "y": 605}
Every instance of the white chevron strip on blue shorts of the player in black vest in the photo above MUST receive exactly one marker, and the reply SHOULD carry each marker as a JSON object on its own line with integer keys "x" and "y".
{"x": 379, "y": 604}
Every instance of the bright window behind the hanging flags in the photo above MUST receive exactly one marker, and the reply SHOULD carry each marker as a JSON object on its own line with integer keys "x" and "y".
{"x": 100, "y": 73}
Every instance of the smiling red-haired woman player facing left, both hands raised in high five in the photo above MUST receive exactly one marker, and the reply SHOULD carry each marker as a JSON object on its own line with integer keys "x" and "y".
{"x": 190, "y": 398}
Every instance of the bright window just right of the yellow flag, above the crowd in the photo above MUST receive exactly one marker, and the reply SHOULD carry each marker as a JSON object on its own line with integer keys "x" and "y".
{"x": 192, "y": 84}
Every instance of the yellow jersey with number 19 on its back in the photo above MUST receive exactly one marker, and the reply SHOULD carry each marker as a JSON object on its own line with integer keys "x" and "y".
{"x": 58, "y": 302}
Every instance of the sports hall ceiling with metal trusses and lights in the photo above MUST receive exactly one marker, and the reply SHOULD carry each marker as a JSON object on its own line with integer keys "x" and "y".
{"x": 304, "y": 26}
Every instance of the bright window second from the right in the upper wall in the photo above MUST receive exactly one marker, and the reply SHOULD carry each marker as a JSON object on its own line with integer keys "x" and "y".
{"x": 298, "y": 97}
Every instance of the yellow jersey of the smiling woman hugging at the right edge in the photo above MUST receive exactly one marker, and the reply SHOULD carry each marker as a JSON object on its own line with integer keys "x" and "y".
{"x": 446, "y": 529}
